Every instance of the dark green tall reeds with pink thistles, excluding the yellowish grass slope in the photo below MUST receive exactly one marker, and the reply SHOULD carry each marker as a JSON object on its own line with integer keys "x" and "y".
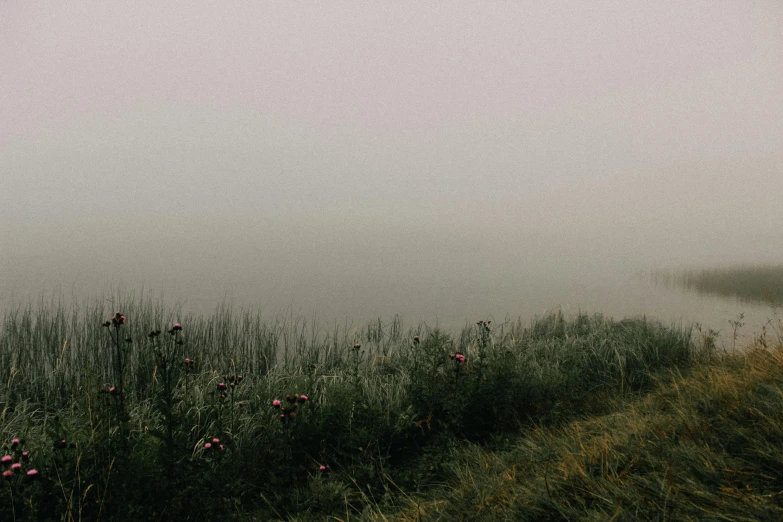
{"x": 149, "y": 415}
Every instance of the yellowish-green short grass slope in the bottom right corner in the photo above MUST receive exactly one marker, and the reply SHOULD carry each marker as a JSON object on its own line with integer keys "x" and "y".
{"x": 702, "y": 445}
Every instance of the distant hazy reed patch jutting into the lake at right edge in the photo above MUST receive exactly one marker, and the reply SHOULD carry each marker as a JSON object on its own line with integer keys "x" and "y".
{"x": 757, "y": 283}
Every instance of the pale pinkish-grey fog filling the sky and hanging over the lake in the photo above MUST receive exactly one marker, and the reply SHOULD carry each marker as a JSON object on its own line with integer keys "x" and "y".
{"x": 443, "y": 161}
